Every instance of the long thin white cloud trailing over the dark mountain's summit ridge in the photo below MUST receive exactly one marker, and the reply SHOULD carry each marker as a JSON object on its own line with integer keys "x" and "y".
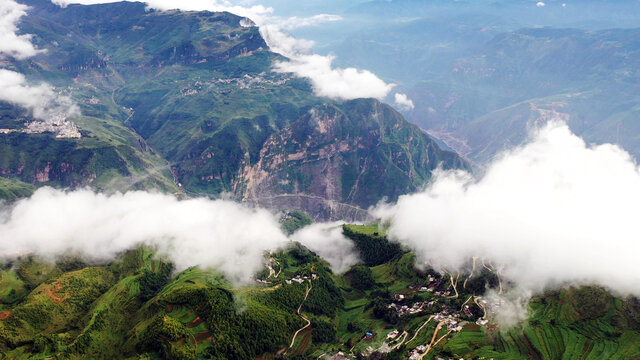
{"x": 327, "y": 81}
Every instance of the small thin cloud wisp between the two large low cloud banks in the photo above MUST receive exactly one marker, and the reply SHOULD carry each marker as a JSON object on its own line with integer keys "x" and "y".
{"x": 327, "y": 240}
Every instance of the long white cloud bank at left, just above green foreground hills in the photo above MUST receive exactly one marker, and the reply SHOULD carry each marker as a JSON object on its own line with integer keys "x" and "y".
{"x": 212, "y": 234}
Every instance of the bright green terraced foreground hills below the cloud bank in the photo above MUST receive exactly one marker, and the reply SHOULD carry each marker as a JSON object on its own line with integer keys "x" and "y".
{"x": 138, "y": 307}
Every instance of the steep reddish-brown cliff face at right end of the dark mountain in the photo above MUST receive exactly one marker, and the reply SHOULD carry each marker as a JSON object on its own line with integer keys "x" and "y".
{"x": 337, "y": 160}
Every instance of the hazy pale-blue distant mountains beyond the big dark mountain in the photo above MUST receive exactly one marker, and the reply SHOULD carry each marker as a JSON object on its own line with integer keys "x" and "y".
{"x": 480, "y": 73}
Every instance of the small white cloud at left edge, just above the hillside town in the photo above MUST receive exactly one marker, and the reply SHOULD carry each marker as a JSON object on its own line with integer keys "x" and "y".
{"x": 41, "y": 100}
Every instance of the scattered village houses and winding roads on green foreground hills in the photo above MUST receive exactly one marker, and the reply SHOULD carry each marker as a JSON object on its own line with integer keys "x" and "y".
{"x": 438, "y": 300}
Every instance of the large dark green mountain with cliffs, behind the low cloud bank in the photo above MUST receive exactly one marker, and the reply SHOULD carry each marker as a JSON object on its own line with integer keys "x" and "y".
{"x": 187, "y": 102}
